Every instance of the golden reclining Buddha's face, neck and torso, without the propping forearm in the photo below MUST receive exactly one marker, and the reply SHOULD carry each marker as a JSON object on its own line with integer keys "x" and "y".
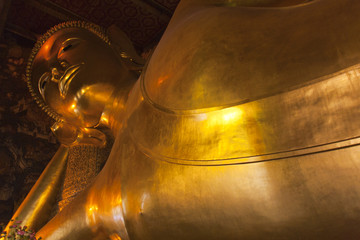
{"x": 242, "y": 125}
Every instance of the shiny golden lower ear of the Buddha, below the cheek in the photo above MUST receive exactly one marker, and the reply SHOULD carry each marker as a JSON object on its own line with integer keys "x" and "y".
{"x": 70, "y": 135}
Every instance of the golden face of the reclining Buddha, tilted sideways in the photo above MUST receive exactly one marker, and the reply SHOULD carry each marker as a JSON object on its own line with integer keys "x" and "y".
{"x": 75, "y": 72}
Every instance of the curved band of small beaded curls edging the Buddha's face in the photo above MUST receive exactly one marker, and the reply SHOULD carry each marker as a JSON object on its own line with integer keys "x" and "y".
{"x": 97, "y": 30}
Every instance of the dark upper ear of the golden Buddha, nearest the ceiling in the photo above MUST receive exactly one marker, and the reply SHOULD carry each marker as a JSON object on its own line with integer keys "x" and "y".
{"x": 125, "y": 49}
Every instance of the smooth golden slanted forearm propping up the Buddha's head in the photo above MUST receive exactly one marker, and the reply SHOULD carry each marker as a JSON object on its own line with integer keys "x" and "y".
{"x": 35, "y": 210}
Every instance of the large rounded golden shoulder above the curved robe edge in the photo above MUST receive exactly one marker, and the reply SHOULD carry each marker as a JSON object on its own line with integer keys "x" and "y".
{"x": 222, "y": 56}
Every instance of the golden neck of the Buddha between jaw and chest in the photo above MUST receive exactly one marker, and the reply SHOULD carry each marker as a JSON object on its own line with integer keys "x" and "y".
{"x": 114, "y": 109}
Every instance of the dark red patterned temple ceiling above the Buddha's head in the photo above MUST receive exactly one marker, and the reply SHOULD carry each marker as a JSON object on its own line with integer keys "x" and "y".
{"x": 143, "y": 21}
